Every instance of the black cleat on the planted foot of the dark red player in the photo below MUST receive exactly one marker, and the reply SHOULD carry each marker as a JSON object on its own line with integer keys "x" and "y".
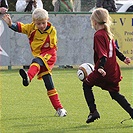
{"x": 92, "y": 117}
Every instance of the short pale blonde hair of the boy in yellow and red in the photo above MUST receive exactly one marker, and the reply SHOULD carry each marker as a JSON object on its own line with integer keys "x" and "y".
{"x": 39, "y": 14}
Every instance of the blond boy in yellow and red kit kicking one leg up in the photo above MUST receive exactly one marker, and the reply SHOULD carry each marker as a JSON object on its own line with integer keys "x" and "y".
{"x": 43, "y": 42}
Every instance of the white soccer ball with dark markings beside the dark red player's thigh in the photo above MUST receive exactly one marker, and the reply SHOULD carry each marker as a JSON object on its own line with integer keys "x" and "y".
{"x": 84, "y": 70}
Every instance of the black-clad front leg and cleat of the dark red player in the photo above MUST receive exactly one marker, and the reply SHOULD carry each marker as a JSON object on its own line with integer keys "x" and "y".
{"x": 89, "y": 97}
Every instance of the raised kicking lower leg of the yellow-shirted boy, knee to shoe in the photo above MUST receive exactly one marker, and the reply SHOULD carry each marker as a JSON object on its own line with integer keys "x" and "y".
{"x": 32, "y": 71}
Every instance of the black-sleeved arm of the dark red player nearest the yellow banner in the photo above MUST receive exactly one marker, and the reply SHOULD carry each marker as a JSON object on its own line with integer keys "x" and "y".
{"x": 121, "y": 56}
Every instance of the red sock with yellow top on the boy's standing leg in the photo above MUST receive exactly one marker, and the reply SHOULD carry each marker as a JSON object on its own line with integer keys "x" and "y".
{"x": 53, "y": 96}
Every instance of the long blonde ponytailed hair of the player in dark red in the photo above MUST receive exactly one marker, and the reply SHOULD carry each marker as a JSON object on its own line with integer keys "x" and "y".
{"x": 102, "y": 17}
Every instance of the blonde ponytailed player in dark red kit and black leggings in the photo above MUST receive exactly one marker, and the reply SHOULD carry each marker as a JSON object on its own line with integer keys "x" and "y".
{"x": 107, "y": 73}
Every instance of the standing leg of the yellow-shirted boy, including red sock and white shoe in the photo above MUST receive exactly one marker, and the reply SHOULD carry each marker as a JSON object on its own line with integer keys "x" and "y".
{"x": 53, "y": 95}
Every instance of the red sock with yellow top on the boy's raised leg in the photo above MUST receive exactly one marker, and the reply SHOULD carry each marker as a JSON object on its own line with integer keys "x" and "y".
{"x": 33, "y": 70}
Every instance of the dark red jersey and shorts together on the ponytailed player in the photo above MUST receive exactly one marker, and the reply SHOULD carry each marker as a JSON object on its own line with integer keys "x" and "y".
{"x": 103, "y": 46}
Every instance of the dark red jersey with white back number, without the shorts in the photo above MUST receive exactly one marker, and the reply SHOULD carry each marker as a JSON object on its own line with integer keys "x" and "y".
{"x": 103, "y": 46}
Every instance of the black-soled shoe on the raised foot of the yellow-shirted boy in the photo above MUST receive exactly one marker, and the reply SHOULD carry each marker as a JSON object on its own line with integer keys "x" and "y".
{"x": 25, "y": 77}
